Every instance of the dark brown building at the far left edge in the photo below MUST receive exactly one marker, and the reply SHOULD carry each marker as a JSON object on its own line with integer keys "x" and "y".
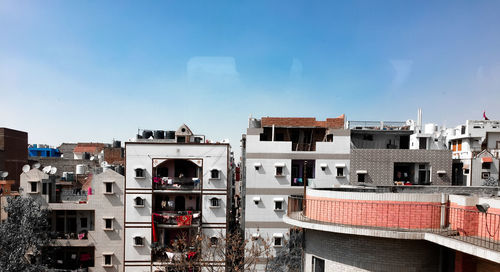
{"x": 13, "y": 153}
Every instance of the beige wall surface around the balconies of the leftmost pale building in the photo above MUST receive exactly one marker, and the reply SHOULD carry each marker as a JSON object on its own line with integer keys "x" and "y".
{"x": 89, "y": 210}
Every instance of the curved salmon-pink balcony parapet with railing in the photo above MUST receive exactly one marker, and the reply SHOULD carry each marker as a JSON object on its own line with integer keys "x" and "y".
{"x": 471, "y": 226}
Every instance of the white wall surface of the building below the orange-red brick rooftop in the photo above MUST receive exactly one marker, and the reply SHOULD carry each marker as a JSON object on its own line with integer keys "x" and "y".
{"x": 266, "y": 184}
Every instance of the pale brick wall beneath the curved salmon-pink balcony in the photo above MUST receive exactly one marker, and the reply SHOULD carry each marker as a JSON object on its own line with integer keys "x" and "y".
{"x": 343, "y": 252}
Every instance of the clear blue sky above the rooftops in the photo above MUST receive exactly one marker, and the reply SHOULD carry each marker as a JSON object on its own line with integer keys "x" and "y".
{"x": 98, "y": 70}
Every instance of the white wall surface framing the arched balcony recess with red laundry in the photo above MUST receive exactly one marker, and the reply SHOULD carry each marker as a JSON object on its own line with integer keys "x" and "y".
{"x": 197, "y": 161}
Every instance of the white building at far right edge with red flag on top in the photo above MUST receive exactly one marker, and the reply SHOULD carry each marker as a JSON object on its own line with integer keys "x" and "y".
{"x": 471, "y": 166}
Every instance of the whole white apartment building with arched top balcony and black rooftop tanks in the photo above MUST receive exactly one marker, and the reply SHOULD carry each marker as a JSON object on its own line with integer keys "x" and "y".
{"x": 177, "y": 187}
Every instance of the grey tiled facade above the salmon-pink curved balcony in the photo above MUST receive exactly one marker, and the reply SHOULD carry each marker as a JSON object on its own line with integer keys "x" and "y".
{"x": 379, "y": 164}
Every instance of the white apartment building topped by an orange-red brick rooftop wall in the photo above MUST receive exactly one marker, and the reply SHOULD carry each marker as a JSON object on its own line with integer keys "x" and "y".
{"x": 278, "y": 155}
